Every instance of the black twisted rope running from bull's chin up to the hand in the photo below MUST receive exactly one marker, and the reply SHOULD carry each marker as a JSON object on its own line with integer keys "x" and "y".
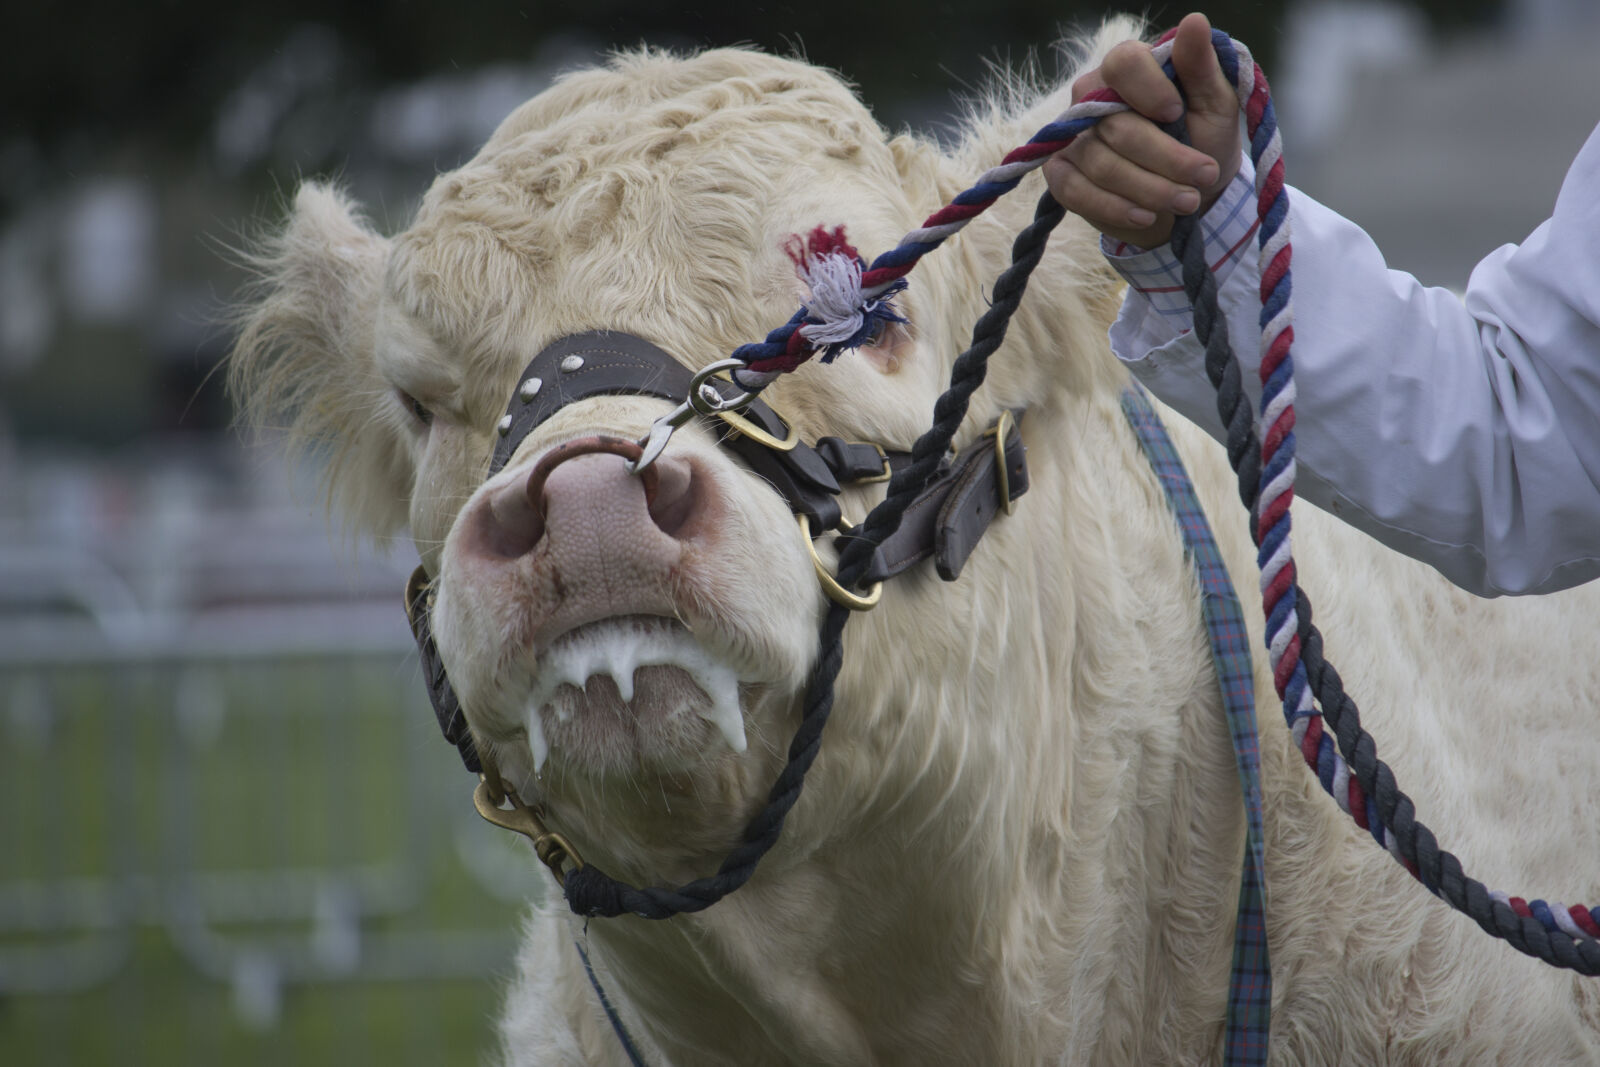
{"x": 590, "y": 890}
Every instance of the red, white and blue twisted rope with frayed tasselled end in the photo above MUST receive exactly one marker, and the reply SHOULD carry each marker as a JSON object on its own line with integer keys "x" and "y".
{"x": 868, "y": 292}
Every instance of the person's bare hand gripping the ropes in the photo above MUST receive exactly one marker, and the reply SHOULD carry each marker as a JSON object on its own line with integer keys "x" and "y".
{"x": 1126, "y": 175}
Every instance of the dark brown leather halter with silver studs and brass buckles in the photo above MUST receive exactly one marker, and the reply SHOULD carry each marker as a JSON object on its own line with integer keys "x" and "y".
{"x": 946, "y": 521}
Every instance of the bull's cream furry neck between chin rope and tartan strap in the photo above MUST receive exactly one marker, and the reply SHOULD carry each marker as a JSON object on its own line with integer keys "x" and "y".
{"x": 1041, "y": 775}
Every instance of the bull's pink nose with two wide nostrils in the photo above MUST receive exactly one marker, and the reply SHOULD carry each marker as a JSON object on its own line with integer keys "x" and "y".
{"x": 585, "y": 502}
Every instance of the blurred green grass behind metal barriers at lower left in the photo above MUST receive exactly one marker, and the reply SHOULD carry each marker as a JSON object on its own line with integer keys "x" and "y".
{"x": 124, "y": 788}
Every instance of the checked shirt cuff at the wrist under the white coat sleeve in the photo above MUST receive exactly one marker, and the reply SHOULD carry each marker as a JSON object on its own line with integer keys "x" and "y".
{"x": 1158, "y": 276}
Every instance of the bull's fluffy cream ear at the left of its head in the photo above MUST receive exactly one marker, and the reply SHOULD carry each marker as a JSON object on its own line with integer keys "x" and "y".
{"x": 303, "y": 359}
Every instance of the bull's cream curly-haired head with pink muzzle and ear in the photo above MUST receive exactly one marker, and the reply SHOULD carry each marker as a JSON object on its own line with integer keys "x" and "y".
{"x": 631, "y": 650}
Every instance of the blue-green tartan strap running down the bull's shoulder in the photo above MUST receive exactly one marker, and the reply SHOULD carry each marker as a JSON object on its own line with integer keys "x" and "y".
{"x": 1250, "y": 988}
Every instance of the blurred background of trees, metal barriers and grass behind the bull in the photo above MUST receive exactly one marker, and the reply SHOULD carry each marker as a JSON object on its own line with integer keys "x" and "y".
{"x": 230, "y": 833}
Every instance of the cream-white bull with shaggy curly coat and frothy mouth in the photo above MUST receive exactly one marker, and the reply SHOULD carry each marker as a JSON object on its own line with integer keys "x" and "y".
{"x": 1022, "y": 839}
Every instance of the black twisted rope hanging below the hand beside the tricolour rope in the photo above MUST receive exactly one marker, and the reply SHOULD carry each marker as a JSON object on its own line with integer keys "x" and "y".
{"x": 1439, "y": 869}
